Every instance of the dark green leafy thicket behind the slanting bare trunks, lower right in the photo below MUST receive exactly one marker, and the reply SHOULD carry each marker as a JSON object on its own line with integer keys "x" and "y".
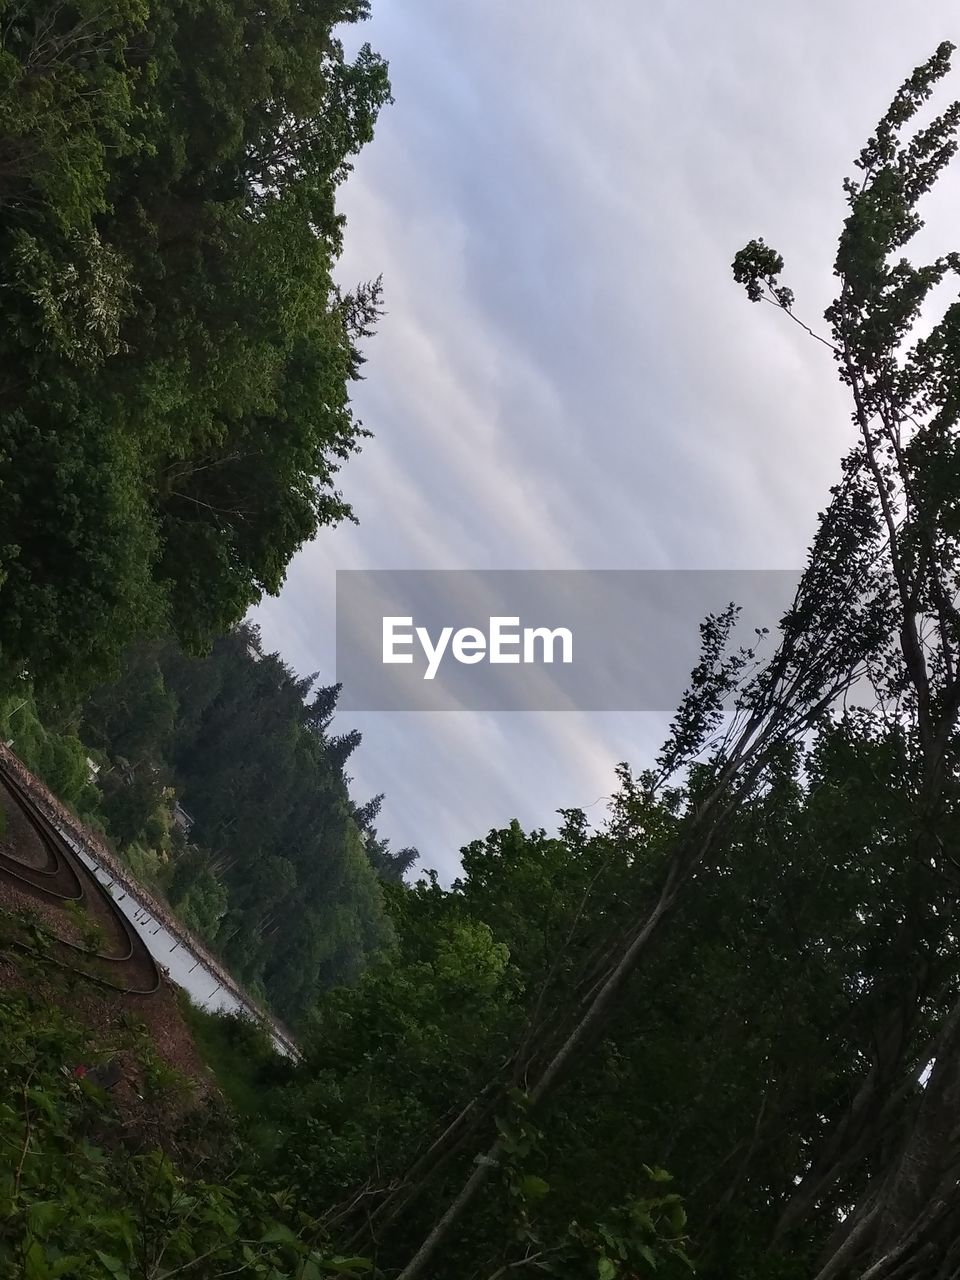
{"x": 740, "y": 1041}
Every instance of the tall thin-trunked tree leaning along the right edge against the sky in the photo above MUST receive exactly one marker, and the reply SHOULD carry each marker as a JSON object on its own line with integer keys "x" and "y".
{"x": 875, "y": 610}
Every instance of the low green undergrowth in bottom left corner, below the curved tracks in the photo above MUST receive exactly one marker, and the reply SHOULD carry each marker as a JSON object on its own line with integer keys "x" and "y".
{"x": 77, "y": 1201}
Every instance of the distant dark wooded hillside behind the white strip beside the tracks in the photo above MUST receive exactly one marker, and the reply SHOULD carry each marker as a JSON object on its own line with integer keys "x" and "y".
{"x": 280, "y": 870}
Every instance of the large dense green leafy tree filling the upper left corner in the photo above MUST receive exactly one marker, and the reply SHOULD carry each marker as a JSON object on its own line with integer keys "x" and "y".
{"x": 175, "y": 358}
